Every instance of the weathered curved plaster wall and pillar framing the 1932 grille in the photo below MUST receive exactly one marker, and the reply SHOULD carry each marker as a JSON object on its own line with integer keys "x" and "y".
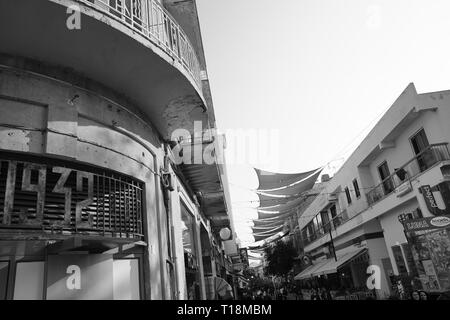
{"x": 50, "y": 118}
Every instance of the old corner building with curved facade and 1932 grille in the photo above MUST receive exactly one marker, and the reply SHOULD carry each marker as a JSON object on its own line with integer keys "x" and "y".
{"x": 92, "y": 203}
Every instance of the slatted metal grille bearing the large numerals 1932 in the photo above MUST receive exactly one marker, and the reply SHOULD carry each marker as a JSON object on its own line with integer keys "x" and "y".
{"x": 50, "y": 196}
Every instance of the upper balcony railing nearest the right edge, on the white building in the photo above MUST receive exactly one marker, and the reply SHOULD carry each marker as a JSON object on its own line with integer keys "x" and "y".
{"x": 423, "y": 161}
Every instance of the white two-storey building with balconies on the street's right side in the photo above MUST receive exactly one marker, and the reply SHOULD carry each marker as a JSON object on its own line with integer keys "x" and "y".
{"x": 388, "y": 206}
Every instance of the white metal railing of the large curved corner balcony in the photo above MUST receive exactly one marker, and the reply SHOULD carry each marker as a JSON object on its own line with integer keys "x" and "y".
{"x": 150, "y": 19}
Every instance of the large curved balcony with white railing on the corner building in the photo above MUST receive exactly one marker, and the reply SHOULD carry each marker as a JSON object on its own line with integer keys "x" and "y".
{"x": 132, "y": 47}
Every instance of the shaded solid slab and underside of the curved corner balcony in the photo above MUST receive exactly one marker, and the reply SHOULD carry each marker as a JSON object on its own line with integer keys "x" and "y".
{"x": 105, "y": 51}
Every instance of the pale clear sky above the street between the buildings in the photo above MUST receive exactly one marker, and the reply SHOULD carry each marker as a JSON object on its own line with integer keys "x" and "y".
{"x": 306, "y": 80}
